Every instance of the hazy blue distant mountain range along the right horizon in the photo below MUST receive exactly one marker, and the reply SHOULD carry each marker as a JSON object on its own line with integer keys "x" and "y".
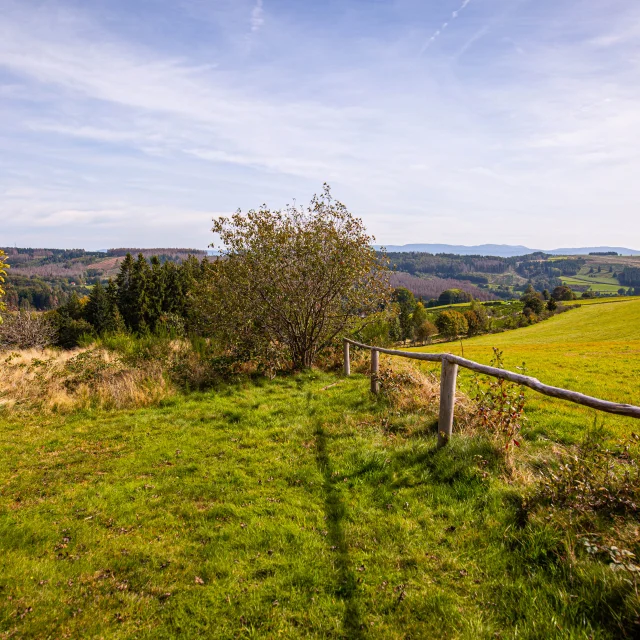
{"x": 502, "y": 250}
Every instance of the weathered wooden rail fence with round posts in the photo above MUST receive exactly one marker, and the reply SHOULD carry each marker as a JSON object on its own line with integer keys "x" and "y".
{"x": 449, "y": 372}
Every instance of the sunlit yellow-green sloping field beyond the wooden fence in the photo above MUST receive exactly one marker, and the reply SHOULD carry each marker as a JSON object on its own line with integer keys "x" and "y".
{"x": 594, "y": 349}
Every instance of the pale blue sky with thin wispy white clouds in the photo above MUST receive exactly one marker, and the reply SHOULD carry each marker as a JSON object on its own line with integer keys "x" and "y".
{"x": 132, "y": 123}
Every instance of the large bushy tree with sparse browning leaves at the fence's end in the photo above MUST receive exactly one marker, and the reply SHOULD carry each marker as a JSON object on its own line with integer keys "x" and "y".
{"x": 288, "y": 283}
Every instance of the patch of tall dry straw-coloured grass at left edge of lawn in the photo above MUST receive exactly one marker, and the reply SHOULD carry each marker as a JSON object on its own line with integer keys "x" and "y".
{"x": 62, "y": 381}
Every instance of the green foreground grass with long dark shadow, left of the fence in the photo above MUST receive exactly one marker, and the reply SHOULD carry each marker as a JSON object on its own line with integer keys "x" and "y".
{"x": 295, "y": 508}
